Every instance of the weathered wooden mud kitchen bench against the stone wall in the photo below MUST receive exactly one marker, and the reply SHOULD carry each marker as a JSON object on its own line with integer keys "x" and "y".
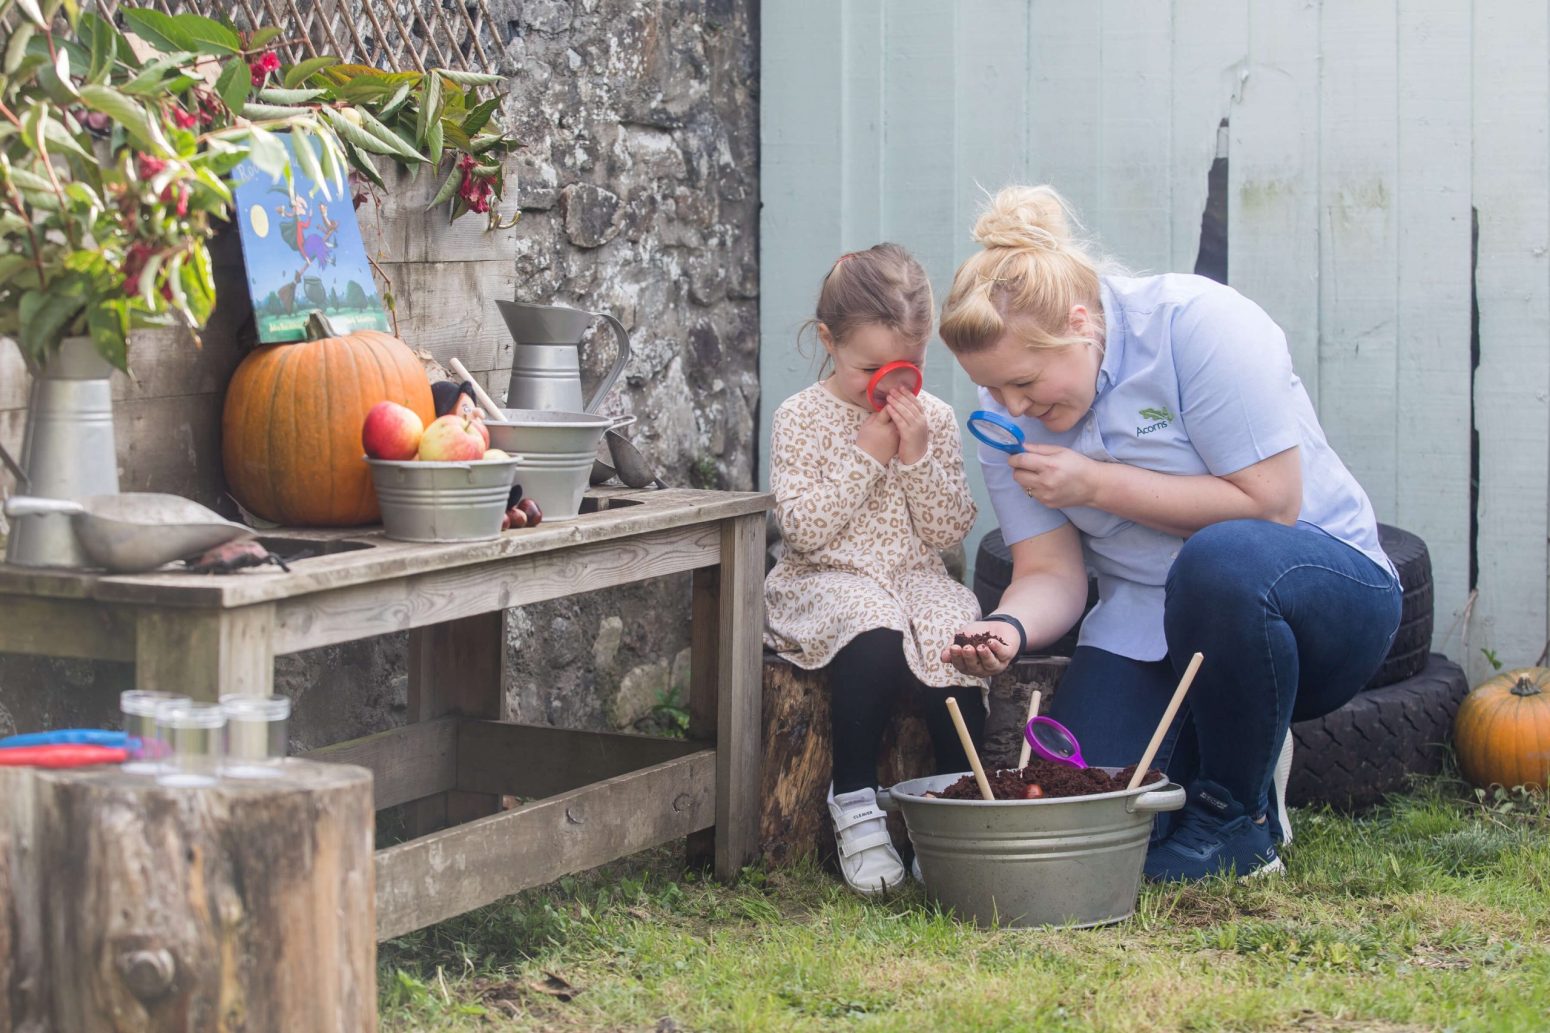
{"x": 588, "y": 796}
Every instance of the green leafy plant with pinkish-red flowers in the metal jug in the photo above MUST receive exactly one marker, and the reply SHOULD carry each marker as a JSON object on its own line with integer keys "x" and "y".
{"x": 115, "y": 147}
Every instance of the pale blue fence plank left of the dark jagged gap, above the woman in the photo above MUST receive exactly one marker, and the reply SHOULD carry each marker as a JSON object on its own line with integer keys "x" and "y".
{"x": 1211, "y": 47}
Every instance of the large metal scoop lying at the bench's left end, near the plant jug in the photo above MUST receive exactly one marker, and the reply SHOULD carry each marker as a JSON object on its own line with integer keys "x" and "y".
{"x": 136, "y": 531}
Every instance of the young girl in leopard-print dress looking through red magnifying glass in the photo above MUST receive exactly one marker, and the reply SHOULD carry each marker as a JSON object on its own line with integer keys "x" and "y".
{"x": 866, "y": 503}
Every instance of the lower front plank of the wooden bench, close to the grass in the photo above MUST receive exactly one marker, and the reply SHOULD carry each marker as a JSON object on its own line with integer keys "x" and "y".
{"x": 460, "y": 869}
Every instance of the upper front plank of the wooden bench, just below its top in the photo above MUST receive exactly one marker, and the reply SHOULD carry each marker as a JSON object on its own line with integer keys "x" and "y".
{"x": 422, "y": 599}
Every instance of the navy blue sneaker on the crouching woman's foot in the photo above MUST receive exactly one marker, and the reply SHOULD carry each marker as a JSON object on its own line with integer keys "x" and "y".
{"x": 1213, "y": 837}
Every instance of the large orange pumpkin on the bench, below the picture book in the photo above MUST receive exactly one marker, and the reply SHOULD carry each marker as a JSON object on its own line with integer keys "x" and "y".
{"x": 292, "y": 426}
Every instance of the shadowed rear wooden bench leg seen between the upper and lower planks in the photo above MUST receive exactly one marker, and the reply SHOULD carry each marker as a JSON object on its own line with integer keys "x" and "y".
{"x": 456, "y": 668}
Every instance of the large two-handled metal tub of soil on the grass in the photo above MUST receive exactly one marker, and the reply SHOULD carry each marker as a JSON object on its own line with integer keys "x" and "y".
{"x": 1066, "y": 862}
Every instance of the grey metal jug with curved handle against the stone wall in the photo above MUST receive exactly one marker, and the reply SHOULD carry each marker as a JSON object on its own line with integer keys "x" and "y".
{"x": 546, "y": 365}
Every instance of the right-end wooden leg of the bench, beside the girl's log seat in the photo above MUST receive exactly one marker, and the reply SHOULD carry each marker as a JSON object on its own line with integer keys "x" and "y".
{"x": 726, "y": 691}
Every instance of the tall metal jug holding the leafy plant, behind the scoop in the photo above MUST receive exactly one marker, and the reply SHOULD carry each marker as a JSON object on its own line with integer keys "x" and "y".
{"x": 67, "y": 452}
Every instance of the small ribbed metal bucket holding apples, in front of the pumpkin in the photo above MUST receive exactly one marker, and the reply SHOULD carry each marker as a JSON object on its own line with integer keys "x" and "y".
{"x": 443, "y": 502}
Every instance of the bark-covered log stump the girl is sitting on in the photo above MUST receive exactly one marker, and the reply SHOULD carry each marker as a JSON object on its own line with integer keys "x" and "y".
{"x": 794, "y": 781}
